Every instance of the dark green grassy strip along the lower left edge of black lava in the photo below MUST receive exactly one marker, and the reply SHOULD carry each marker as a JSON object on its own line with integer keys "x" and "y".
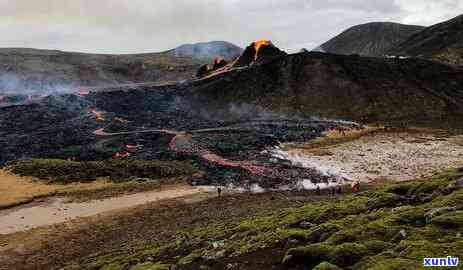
{"x": 64, "y": 172}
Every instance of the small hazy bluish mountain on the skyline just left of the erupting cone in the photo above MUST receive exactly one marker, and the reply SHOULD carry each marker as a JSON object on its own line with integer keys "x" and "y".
{"x": 207, "y": 50}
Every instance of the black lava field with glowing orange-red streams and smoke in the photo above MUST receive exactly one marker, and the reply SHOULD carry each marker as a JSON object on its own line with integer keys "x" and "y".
{"x": 160, "y": 123}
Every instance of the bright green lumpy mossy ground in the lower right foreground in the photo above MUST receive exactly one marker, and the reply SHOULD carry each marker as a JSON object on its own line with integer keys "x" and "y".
{"x": 385, "y": 228}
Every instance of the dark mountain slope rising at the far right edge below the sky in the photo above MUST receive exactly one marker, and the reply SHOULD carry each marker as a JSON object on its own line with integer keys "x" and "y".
{"x": 443, "y": 41}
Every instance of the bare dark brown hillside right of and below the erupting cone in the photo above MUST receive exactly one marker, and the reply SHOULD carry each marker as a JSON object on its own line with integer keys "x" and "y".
{"x": 348, "y": 87}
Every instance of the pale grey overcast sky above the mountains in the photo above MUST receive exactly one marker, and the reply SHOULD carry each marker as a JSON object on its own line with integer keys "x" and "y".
{"x": 128, "y": 26}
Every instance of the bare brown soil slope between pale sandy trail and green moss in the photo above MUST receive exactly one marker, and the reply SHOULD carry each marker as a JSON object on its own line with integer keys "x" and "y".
{"x": 157, "y": 222}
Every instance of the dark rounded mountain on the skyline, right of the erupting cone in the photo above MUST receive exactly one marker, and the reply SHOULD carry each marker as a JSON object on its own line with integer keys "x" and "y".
{"x": 371, "y": 39}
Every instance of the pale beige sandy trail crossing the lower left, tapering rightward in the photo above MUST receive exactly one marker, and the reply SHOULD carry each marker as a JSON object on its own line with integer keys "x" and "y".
{"x": 57, "y": 210}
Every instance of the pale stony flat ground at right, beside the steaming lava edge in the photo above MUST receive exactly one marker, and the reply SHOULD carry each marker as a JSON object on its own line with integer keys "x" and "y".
{"x": 384, "y": 156}
